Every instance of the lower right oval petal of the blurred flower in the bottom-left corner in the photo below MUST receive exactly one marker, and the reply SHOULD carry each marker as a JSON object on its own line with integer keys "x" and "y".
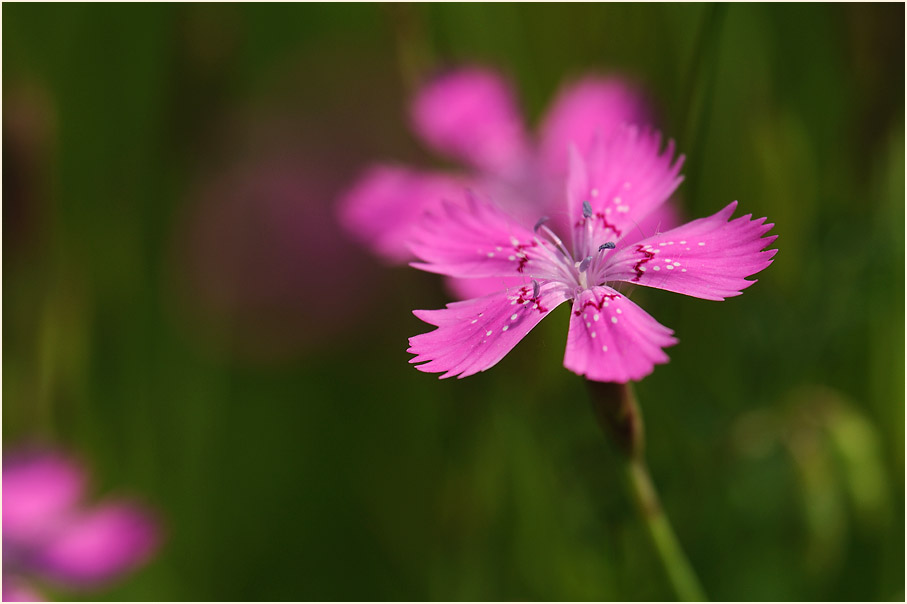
{"x": 100, "y": 544}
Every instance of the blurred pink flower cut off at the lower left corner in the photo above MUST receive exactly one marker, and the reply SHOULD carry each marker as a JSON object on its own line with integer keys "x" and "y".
{"x": 49, "y": 533}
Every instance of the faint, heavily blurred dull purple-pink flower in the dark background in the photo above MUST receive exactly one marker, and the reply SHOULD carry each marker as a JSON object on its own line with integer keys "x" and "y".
{"x": 247, "y": 245}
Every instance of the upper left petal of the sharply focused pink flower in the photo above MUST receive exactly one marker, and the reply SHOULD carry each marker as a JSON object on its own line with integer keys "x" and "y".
{"x": 480, "y": 240}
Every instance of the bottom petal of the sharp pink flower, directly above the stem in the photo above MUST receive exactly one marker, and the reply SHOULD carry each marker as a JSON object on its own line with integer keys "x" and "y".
{"x": 611, "y": 339}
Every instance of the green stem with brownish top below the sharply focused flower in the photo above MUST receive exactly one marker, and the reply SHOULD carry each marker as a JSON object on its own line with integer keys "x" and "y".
{"x": 618, "y": 413}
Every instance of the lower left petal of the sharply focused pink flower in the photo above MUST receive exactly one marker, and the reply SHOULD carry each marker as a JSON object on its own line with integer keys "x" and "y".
{"x": 475, "y": 334}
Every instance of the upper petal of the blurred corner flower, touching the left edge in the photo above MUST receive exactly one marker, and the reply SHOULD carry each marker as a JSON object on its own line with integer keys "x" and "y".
{"x": 39, "y": 489}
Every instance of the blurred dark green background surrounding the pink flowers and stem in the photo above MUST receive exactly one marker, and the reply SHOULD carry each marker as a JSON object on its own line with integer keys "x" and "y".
{"x": 181, "y": 310}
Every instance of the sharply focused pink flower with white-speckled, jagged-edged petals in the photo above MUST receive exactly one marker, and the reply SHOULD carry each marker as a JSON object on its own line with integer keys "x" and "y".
{"x": 622, "y": 180}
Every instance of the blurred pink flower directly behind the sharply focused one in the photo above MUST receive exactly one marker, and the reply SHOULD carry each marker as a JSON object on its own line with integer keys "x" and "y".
{"x": 472, "y": 115}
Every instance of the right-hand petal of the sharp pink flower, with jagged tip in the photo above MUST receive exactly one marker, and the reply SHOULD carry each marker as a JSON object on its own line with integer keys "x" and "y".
{"x": 706, "y": 258}
